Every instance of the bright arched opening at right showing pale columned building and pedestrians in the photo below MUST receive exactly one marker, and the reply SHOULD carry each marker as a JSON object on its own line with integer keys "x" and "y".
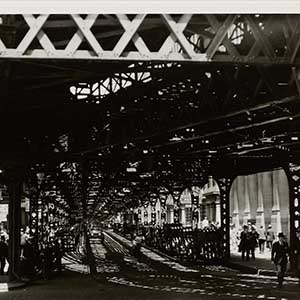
{"x": 260, "y": 200}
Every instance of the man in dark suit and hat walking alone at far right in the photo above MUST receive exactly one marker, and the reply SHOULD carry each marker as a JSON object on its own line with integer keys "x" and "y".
{"x": 280, "y": 253}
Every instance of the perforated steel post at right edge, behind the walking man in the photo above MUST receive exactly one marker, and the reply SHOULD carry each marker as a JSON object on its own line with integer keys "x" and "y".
{"x": 293, "y": 175}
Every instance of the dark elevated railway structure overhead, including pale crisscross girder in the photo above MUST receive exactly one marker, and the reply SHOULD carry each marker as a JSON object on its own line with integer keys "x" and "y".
{"x": 135, "y": 105}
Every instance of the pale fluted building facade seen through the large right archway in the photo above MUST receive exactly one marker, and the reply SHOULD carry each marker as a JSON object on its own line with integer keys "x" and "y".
{"x": 261, "y": 199}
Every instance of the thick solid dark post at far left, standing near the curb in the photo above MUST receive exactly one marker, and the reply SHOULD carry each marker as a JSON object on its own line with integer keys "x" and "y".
{"x": 14, "y": 217}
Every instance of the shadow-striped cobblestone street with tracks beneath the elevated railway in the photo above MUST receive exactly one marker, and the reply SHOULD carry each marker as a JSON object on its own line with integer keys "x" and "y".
{"x": 122, "y": 276}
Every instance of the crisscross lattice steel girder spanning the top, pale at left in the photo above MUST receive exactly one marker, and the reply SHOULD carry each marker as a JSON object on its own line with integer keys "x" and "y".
{"x": 258, "y": 39}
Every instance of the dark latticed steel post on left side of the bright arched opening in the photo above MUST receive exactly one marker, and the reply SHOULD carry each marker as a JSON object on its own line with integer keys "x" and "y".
{"x": 224, "y": 186}
